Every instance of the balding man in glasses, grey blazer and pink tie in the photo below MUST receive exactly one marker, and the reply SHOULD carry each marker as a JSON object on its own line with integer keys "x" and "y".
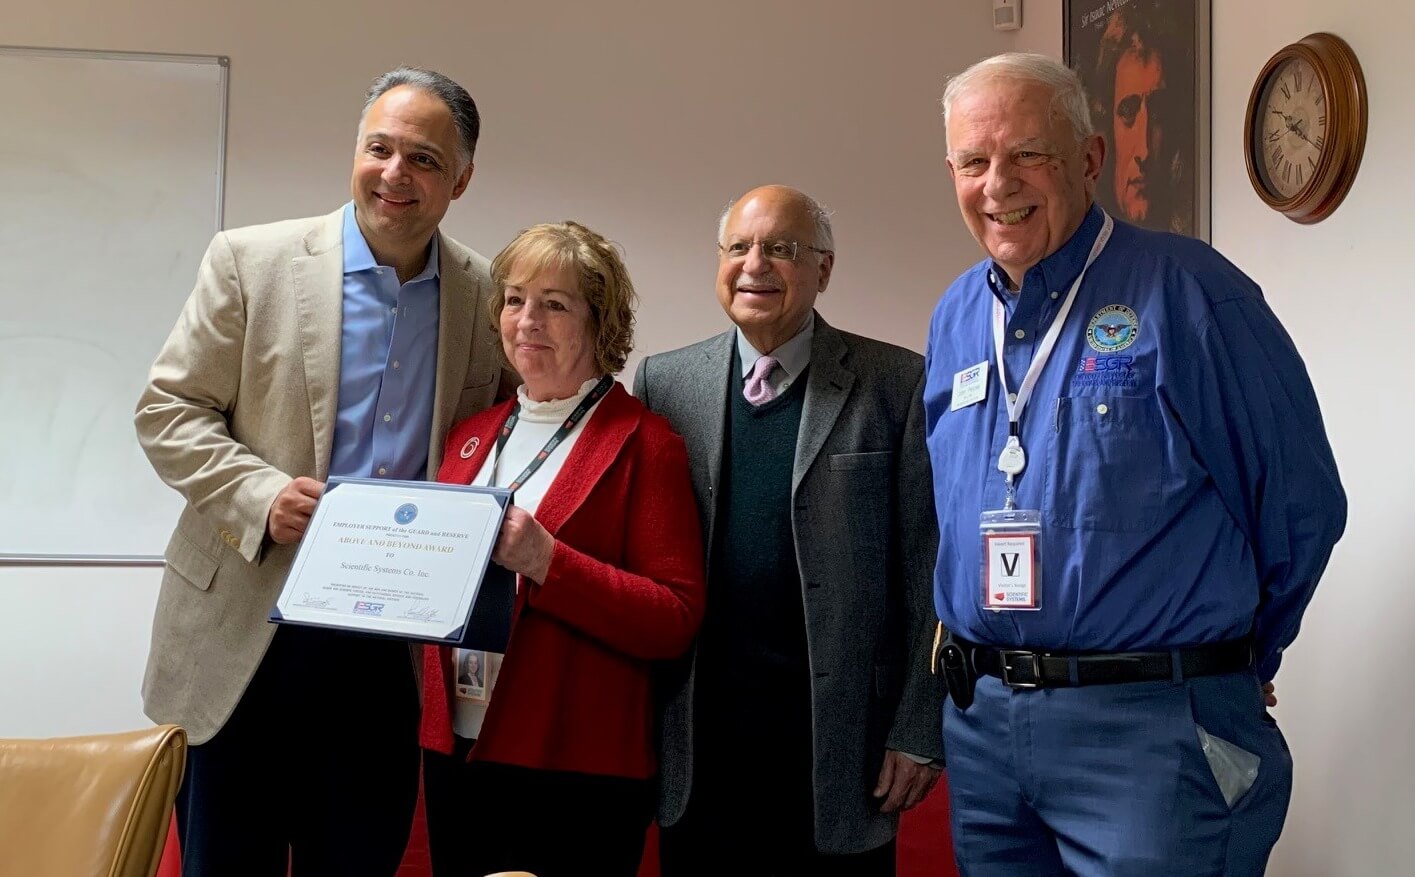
{"x": 807, "y": 718}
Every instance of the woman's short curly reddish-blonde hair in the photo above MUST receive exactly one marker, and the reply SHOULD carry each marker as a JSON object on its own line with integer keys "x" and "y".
{"x": 602, "y": 275}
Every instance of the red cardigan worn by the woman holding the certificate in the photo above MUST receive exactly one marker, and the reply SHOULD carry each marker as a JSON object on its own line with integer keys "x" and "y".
{"x": 626, "y": 589}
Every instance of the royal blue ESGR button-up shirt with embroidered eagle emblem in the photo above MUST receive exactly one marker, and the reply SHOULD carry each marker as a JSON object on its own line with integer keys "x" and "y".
{"x": 1175, "y": 451}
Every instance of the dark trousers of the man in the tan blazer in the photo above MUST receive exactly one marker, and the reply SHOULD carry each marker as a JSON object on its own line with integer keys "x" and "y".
{"x": 316, "y": 770}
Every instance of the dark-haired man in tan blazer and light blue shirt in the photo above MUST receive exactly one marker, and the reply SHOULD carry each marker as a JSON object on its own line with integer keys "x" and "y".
{"x": 336, "y": 346}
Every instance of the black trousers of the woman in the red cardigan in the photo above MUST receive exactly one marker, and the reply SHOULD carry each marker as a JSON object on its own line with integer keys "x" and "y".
{"x": 486, "y": 818}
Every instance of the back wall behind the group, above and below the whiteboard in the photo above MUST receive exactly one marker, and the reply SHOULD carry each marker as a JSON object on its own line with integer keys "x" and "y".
{"x": 637, "y": 120}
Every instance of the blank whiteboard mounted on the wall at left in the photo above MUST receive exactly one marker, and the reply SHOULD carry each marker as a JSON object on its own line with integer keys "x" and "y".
{"x": 111, "y": 180}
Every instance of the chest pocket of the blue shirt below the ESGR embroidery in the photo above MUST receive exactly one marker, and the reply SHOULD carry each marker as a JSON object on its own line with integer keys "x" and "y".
{"x": 1107, "y": 465}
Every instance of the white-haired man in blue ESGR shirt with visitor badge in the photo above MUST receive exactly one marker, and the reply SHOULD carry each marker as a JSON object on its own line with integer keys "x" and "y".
{"x": 1136, "y": 500}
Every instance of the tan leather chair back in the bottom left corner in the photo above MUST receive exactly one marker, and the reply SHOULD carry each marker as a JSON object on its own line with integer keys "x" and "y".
{"x": 88, "y": 807}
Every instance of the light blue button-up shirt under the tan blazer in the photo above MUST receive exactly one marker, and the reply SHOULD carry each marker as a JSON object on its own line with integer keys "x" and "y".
{"x": 388, "y": 366}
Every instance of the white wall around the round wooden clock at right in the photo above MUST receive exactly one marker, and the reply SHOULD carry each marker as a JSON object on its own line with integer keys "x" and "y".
{"x": 1341, "y": 291}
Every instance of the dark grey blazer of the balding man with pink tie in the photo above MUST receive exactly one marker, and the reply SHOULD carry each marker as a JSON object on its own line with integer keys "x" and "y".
{"x": 867, "y": 540}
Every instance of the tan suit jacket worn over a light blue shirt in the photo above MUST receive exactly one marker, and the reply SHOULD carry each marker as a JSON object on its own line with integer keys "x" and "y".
{"x": 241, "y": 400}
